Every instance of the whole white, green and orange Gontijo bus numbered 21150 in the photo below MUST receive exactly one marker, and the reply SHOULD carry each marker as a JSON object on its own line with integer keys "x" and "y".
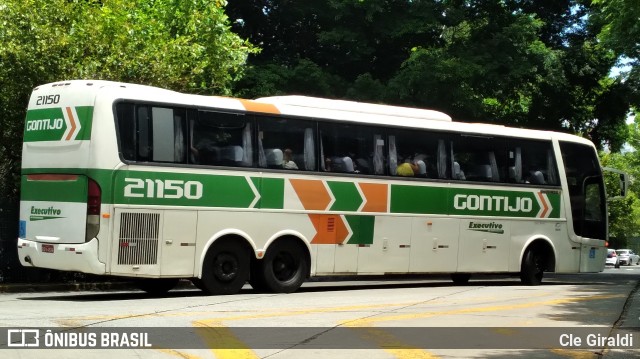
{"x": 135, "y": 181}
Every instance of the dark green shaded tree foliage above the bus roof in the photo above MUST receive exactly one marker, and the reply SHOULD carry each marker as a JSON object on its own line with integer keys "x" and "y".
{"x": 526, "y": 63}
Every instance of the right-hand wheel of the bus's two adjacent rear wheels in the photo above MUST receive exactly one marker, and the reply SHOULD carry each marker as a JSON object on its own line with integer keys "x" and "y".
{"x": 284, "y": 267}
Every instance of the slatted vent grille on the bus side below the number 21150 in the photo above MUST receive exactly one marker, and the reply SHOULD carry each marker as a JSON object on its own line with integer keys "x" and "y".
{"x": 138, "y": 240}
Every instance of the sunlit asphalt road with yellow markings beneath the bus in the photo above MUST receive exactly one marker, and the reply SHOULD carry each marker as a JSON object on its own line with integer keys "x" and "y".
{"x": 428, "y": 317}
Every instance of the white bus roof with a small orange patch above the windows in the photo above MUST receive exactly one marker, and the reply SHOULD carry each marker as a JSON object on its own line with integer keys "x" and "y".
{"x": 313, "y": 107}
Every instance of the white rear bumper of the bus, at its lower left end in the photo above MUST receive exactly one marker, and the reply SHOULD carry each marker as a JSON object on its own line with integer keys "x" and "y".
{"x": 79, "y": 257}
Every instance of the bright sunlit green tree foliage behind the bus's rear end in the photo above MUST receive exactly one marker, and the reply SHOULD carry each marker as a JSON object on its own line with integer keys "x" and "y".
{"x": 182, "y": 45}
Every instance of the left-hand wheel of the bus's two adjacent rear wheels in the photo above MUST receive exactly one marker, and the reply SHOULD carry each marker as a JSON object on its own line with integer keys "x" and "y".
{"x": 226, "y": 267}
